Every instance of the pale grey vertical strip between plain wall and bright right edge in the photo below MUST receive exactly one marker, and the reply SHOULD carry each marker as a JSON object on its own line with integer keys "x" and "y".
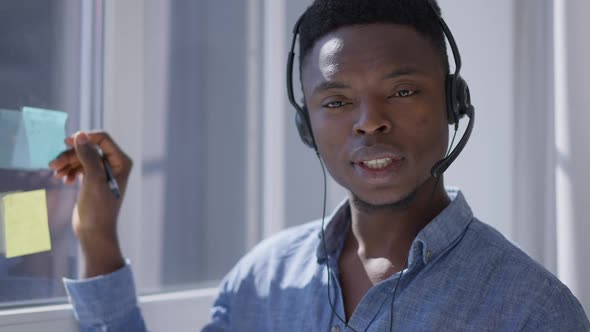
{"x": 534, "y": 228}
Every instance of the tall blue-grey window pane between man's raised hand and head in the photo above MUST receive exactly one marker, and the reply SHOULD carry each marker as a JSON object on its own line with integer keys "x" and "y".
{"x": 194, "y": 155}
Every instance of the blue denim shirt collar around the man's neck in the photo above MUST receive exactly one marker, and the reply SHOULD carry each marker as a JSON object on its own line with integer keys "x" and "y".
{"x": 444, "y": 230}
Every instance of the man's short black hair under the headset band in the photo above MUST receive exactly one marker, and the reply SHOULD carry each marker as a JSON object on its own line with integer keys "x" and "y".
{"x": 325, "y": 16}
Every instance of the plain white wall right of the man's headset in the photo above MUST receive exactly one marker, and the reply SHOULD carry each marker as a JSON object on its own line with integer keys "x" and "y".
{"x": 484, "y": 31}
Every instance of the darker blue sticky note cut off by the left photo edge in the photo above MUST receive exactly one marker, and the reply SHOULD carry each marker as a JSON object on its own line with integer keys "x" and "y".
{"x": 14, "y": 149}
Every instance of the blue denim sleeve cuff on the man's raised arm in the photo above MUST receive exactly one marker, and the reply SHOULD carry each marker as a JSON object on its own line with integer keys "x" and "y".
{"x": 107, "y": 302}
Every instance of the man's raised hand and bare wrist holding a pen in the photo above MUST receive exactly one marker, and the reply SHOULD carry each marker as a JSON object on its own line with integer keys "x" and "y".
{"x": 95, "y": 216}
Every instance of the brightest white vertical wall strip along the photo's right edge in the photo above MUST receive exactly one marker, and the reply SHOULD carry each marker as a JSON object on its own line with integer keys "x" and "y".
{"x": 572, "y": 138}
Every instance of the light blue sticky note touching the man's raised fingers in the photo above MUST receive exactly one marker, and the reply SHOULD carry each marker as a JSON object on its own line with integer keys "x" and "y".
{"x": 45, "y": 132}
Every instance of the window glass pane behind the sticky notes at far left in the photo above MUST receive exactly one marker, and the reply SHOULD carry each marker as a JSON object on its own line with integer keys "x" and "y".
{"x": 40, "y": 61}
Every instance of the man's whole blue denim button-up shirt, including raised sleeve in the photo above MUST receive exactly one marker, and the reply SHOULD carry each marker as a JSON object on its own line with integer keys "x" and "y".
{"x": 462, "y": 275}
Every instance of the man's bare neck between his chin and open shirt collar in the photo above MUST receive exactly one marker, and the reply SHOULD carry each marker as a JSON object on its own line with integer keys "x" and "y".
{"x": 389, "y": 232}
